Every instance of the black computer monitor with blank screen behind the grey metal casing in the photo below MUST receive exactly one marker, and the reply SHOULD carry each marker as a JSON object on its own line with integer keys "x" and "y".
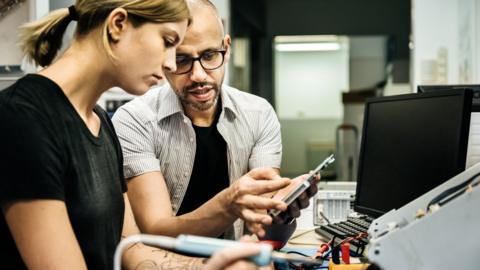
{"x": 410, "y": 144}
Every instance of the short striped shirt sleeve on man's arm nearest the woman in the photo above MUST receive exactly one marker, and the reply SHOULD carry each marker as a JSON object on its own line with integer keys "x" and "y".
{"x": 135, "y": 132}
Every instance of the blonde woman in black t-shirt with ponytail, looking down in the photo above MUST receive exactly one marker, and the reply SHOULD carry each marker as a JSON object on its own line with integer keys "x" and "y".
{"x": 61, "y": 182}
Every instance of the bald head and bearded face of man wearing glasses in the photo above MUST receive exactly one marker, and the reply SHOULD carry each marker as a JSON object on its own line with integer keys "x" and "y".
{"x": 205, "y": 44}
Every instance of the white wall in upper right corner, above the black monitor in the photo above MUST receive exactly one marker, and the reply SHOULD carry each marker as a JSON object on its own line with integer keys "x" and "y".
{"x": 450, "y": 24}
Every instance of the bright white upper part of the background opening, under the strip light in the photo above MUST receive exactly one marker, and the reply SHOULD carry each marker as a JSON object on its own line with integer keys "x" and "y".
{"x": 309, "y": 84}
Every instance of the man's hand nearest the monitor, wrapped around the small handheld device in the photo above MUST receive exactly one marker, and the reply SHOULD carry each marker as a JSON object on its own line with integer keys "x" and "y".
{"x": 300, "y": 203}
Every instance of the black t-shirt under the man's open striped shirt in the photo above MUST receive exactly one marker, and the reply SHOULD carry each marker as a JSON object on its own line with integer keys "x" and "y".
{"x": 210, "y": 168}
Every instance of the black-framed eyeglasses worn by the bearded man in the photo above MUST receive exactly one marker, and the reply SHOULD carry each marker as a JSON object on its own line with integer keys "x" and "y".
{"x": 209, "y": 60}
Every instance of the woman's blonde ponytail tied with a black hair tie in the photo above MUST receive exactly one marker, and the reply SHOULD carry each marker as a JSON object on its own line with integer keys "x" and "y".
{"x": 41, "y": 40}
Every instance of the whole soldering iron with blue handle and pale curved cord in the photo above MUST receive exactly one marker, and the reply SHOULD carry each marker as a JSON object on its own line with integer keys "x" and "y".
{"x": 205, "y": 246}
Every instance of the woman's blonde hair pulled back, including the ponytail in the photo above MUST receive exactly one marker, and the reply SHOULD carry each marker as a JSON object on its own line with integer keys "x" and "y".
{"x": 40, "y": 40}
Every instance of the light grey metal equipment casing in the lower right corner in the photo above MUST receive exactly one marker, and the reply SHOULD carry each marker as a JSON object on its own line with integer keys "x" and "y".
{"x": 444, "y": 237}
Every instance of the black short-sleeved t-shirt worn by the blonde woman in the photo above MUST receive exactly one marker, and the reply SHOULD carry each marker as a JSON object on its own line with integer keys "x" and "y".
{"x": 47, "y": 152}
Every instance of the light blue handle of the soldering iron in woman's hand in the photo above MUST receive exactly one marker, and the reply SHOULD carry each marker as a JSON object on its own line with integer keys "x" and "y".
{"x": 206, "y": 246}
